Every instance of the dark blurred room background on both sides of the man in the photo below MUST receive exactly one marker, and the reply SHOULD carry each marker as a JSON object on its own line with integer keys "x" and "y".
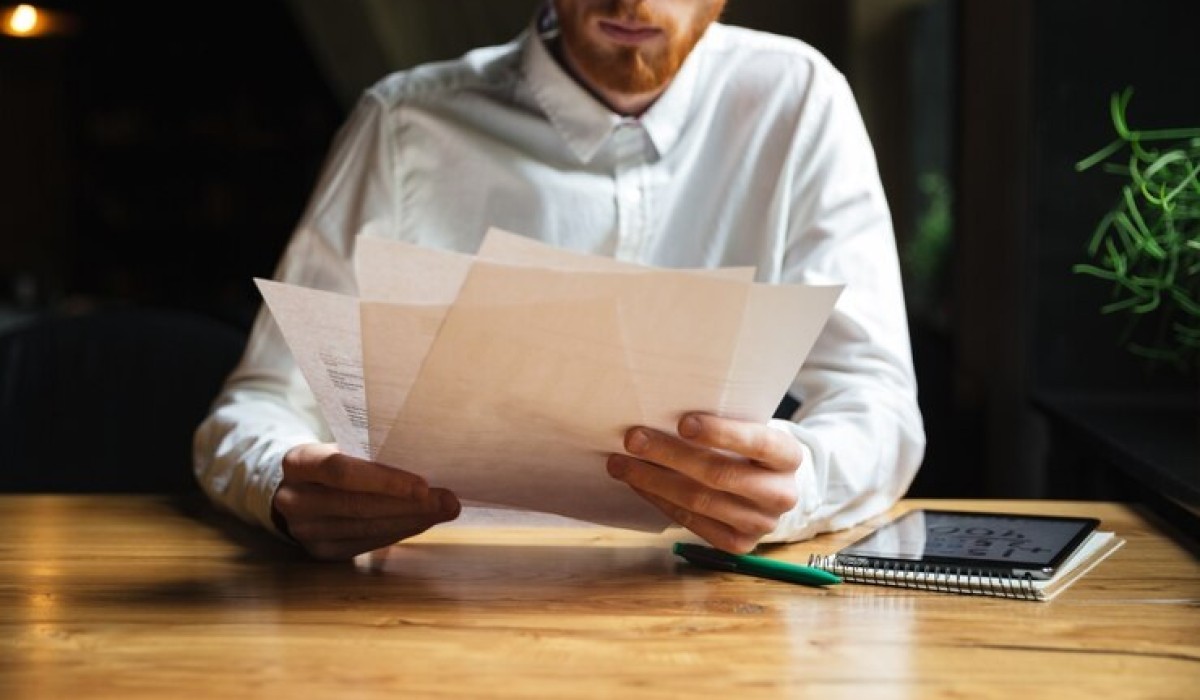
{"x": 160, "y": 155}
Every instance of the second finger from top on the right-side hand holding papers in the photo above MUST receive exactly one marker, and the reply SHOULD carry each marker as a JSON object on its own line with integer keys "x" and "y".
{"x": 770, "y": 489}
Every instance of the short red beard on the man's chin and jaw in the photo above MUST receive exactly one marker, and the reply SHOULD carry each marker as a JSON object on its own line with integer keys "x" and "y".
{"x": 629, "y": 69}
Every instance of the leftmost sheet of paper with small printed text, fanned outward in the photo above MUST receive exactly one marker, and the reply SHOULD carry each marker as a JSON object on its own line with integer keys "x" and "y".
{"x": 322, "y": 330}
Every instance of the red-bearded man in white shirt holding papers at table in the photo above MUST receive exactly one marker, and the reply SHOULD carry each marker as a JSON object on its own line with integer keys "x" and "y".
{"x": 647, "y": 131}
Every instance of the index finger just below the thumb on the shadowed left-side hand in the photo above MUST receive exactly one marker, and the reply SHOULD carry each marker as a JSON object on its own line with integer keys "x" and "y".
{"x": 308, "y": 501}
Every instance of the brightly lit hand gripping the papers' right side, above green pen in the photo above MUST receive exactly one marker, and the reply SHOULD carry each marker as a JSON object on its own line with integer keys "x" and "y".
{"x": 727, "y": 481}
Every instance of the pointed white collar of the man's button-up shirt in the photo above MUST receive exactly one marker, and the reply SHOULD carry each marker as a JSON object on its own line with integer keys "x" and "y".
{"x": 583, "y": 121}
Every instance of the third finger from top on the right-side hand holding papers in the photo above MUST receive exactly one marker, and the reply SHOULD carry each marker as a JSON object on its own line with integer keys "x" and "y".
{"x": 692, "y": 496}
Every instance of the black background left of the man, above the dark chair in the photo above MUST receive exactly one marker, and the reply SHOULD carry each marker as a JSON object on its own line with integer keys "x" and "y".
{"x": 158, "y": 157}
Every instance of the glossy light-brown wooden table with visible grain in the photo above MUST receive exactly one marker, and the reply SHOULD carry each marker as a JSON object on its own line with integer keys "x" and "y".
{"x": 152, "y": 597}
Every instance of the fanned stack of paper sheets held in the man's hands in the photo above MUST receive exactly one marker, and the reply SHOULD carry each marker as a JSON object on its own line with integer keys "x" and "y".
{"x": 509, "y": 376}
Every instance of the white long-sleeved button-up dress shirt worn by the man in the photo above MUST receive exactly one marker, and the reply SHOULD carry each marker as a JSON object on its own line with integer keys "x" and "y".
{"x": 755, "y": 155}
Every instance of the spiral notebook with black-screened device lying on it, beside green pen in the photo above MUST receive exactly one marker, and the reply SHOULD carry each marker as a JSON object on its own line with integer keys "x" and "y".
{"x": 1028, "y": 558}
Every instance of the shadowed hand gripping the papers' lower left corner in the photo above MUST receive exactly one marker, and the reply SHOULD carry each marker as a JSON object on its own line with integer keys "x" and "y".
{"x": 338, "y": 506}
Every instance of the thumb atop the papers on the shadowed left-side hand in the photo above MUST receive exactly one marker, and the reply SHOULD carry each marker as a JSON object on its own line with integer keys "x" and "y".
{"x": 325, "y": 465}
